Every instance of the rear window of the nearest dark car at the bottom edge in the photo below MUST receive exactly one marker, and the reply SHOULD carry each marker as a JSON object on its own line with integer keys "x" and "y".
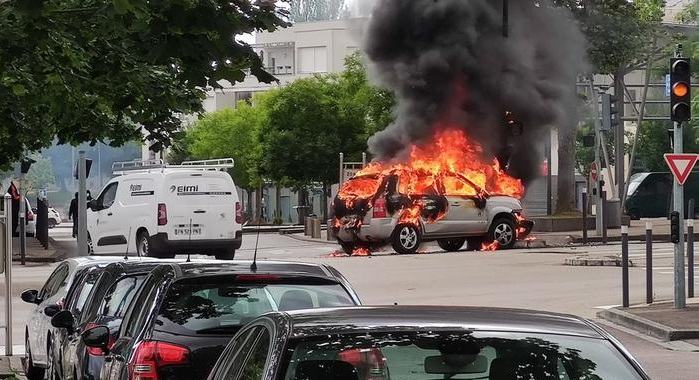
{"x": 456, "y": 355}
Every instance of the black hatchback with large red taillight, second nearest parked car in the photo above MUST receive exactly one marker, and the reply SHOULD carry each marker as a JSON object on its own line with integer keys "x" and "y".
{"x": 185, "y": 314}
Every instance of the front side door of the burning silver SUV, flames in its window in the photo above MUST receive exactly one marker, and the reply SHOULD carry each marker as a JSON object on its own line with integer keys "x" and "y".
{"x": 463, "y": 216}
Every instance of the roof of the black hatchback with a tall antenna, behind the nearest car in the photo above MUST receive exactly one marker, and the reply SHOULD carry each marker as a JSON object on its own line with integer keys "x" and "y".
{"x": 213, "y": 268}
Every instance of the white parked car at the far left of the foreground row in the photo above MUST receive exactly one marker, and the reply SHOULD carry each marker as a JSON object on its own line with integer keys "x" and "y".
{"x": 66, "y": 288}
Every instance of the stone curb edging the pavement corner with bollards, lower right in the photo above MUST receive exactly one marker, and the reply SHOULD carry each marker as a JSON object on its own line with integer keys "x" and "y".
{"x": 646, "y": 326}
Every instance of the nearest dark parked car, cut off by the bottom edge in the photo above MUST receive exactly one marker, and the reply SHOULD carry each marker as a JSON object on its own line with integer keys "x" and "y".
{"x": 419, "y": 343}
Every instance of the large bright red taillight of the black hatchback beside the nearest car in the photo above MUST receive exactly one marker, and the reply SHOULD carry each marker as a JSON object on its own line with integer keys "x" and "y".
{"x": 151, "y": 355}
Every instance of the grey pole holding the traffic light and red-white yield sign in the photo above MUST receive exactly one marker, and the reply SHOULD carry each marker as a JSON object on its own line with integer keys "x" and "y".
{"x": 678, "y": 203}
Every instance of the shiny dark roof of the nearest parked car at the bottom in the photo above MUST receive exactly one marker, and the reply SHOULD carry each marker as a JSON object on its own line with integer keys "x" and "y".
{"x": 377, "y": 318}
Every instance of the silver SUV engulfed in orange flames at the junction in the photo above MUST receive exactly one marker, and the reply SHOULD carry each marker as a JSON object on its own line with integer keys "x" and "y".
{"x": 445, "y": 194}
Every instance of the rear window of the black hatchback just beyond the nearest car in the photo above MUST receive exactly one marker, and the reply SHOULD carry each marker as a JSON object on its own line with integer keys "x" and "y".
{"x": 224, "y": 307}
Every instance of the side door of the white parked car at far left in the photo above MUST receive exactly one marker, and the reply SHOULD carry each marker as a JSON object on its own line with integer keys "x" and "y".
{"x": 39, "y": 323}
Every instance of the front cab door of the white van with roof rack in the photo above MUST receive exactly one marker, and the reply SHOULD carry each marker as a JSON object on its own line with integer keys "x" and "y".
{"x": 109, "y": 237}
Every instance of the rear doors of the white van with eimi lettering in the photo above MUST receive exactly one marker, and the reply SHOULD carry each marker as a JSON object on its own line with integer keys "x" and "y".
{"x": 203, "y": 200}
